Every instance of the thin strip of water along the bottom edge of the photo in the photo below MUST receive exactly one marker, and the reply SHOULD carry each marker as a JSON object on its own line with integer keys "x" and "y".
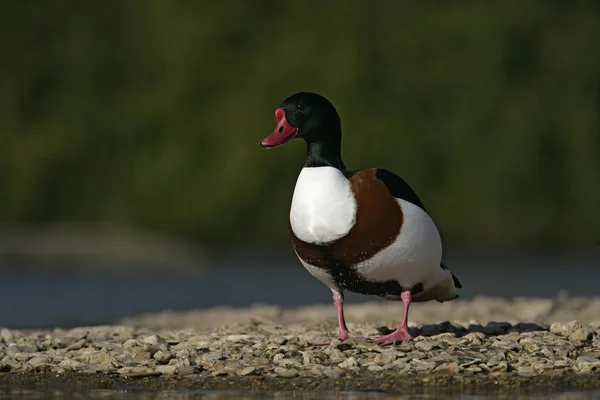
{"x": 223, "y": 395}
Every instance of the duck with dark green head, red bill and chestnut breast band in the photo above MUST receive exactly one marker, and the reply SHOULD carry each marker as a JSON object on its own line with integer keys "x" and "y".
{"x": 364, "y": 231}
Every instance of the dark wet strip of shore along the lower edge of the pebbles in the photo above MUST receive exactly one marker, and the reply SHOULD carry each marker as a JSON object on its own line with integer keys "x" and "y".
{"x": 388, "y": 382}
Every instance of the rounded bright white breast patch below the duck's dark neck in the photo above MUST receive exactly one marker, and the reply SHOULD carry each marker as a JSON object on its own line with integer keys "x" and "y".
{"x": 323, "y": 207}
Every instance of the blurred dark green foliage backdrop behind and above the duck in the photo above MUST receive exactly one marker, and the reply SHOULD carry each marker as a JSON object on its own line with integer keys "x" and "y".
{"x": 147, "y": 114}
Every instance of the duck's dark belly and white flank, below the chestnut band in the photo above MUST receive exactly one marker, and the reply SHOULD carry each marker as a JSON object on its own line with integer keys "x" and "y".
{"x": 412, "y": 260}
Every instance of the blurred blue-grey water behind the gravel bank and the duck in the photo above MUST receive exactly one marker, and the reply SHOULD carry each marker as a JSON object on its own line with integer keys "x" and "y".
{"x": 45, "y": 299}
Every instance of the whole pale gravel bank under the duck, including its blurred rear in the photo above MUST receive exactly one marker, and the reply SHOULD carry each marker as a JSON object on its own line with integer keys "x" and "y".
{"x": 272, "y": 343}
